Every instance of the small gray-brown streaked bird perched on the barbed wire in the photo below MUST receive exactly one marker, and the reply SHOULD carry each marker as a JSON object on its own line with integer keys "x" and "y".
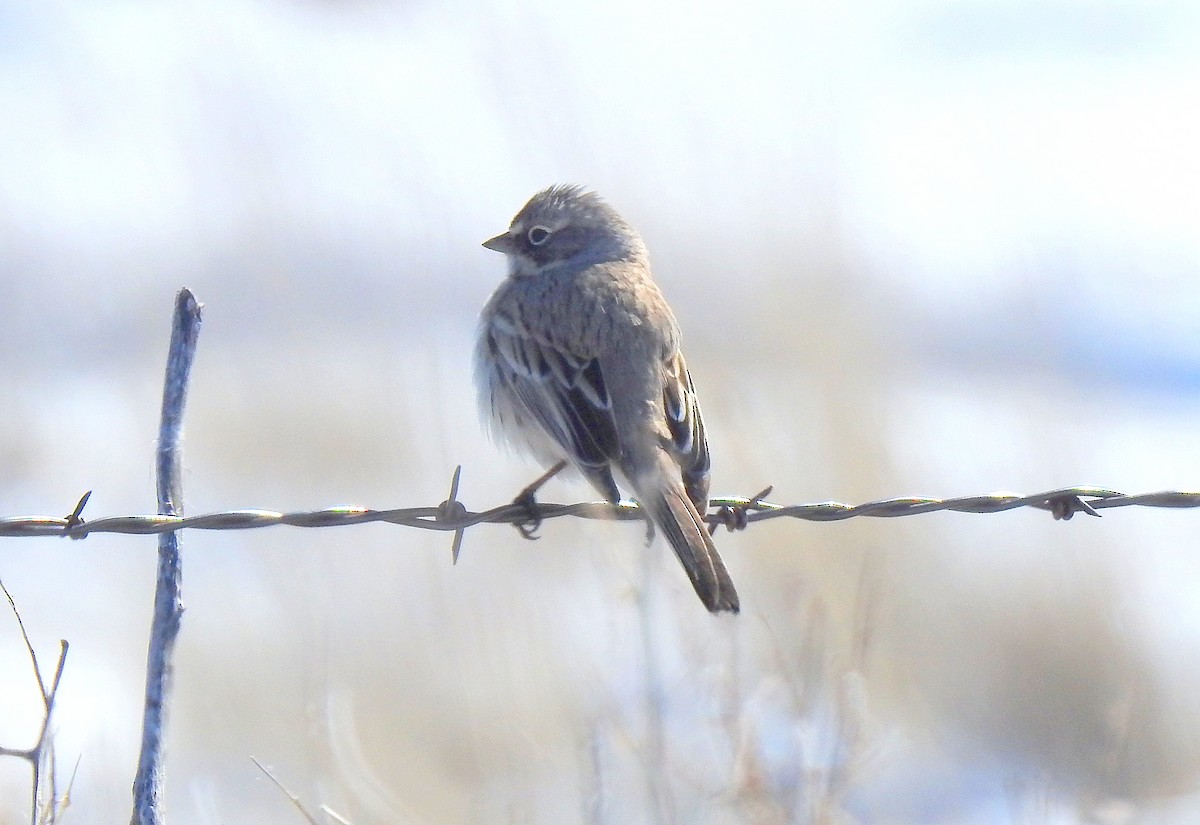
{"x": 579, "y": 360}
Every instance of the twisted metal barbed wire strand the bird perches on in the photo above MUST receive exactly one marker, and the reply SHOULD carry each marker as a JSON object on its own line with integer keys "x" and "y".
{"x": 733, "y": 513}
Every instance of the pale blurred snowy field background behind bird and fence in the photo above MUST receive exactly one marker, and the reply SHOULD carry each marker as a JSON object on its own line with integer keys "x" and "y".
{"x": 917, "y": 249}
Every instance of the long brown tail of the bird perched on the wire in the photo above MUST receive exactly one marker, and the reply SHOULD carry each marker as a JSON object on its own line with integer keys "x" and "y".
{"x": 675, "y": 515}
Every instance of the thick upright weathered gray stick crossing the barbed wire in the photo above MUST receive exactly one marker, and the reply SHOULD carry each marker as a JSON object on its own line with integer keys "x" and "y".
{"x": 169, "y": 605}
